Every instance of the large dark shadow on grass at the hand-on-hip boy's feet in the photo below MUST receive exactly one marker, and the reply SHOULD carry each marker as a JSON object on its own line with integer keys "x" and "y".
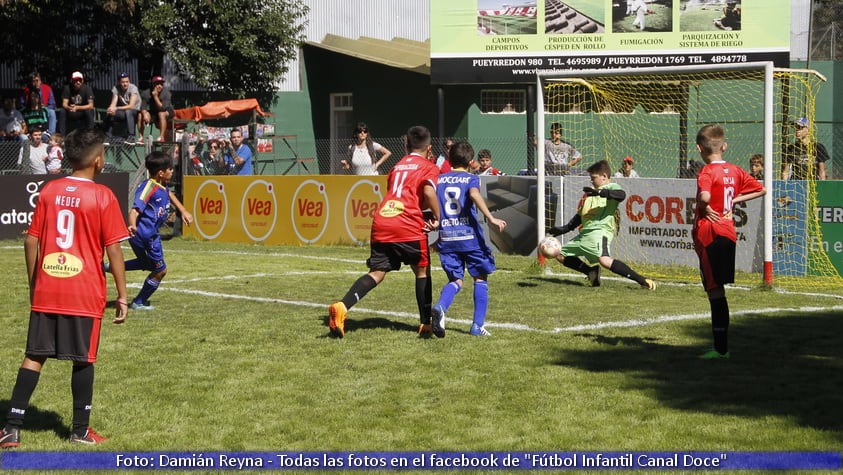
{"x": 789, "y": 366}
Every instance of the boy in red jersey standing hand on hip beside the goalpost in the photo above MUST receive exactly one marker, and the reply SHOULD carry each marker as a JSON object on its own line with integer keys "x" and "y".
{"x": 720, "y": 186}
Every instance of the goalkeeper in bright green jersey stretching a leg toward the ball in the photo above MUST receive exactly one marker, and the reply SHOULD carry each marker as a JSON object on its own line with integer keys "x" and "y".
{"x": 590, "y": 249}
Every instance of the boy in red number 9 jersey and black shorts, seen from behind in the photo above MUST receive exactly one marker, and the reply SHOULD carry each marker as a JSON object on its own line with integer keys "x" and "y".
{"x": 67, "y": 307}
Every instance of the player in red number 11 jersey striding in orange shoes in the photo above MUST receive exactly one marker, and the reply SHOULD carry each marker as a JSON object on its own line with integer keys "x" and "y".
{"x": 399, "y": 231}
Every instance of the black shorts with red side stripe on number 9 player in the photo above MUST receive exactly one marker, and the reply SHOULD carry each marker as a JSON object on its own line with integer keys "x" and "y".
{"x": 64, "y": 337}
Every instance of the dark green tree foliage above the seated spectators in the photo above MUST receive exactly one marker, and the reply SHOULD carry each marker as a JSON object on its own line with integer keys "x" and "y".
{"x": 240, "y": 47}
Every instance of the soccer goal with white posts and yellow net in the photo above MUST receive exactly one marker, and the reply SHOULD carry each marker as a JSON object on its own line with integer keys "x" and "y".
{"x": 650, "y": 117}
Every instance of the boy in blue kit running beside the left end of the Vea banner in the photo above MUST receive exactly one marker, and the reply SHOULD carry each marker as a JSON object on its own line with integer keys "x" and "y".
{"x": 149, "y": 212}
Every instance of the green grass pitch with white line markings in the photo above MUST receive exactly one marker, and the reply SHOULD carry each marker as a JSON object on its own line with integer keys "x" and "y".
{"x": 237, "y": 357}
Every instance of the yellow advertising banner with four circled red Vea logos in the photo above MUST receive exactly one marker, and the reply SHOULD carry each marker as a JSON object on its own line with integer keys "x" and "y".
{"x": 318, "y": 209}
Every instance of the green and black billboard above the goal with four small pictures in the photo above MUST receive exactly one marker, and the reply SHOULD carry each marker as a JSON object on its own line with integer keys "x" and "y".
{"x": 495, "y": 41}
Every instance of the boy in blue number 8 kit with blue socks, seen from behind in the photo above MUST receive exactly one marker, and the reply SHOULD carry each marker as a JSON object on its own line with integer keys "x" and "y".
{"x": 461, "y": 241}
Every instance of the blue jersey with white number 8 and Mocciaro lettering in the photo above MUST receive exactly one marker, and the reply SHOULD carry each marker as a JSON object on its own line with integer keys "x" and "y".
{"x": 459, "y": 228}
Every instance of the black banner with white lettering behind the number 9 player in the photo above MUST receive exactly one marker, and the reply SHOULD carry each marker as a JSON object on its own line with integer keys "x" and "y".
{"x": 19, "y": 195}
